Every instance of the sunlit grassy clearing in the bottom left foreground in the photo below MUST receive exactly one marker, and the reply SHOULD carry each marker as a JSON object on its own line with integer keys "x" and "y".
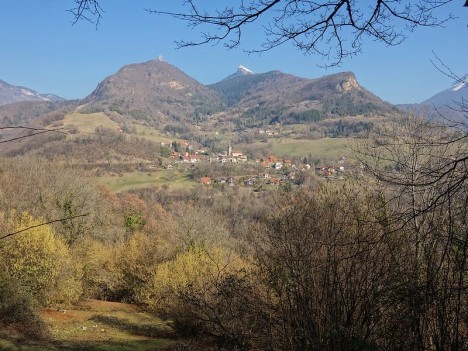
{"x": 98, "y": 326}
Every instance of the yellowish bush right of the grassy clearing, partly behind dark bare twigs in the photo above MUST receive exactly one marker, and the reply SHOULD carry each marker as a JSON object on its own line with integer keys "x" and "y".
{"x": 198, "y": 290}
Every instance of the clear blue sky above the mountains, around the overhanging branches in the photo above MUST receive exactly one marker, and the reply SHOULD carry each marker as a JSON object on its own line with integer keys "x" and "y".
{"x": 42, "y": 50}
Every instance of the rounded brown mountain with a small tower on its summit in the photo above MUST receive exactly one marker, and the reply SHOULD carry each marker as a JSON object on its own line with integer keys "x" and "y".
{"x": 155, "y": 92}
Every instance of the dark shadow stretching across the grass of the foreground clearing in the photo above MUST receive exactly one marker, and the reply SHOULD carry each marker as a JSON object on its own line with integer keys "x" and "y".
{"x": 147, "y": 330}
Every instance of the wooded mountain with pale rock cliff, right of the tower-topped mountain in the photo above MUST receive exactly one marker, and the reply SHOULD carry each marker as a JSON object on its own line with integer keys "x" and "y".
{"x": 279, "y": 97}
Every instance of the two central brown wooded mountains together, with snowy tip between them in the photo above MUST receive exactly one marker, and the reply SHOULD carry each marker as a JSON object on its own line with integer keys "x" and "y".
{"x": 159, "y": 94}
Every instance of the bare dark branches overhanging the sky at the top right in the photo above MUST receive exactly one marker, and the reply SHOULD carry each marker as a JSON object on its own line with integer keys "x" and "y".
{"x": 334, "y": 29}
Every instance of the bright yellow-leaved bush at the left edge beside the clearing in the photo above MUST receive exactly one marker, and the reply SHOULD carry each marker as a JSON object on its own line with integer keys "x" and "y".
{"x": 40, "y": 260}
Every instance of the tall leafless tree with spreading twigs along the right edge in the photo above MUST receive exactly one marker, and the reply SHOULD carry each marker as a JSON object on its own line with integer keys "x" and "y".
{"x": 424, "y": 169}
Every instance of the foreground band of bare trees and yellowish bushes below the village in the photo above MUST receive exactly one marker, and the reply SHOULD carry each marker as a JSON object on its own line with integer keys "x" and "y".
{"x": 376, "y": 263}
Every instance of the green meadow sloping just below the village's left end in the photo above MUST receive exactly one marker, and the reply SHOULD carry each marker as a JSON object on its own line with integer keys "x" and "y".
{"x": 134, "y": 180}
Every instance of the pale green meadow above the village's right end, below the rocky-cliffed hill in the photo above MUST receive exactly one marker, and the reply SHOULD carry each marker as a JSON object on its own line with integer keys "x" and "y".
{"x": 326, "y": 147}
